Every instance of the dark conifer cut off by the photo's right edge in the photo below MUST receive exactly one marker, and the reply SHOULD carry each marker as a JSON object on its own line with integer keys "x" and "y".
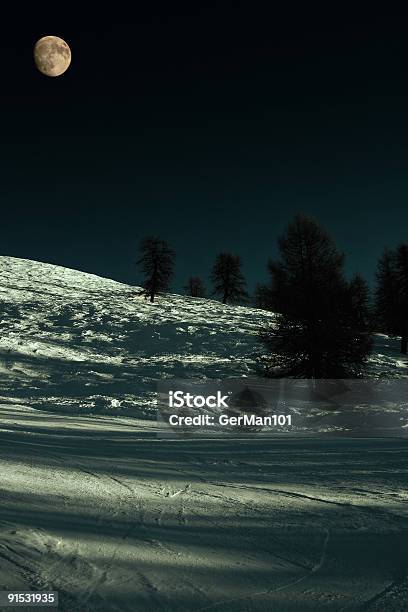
{"x": 392, "y": 294}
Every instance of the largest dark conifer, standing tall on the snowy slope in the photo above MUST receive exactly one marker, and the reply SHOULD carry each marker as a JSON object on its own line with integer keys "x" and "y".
{"x": 316, "y": 334}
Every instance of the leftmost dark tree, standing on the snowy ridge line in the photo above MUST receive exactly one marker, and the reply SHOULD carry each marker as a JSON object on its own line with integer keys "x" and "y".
{"x": 157, "y": 263}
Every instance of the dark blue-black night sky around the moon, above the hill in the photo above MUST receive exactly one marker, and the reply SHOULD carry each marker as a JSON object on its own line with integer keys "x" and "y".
{"x": 210, "y": 126}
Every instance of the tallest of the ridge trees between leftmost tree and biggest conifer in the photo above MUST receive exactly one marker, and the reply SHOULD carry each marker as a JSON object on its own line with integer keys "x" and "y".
{"x": 228, "y": 280}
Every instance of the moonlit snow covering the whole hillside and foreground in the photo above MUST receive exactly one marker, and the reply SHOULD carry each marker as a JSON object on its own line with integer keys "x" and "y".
{"x": 98, "y": 507}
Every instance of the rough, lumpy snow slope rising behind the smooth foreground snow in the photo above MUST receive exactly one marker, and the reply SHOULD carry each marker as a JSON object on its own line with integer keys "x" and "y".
{"x": 75, "y": 341}
